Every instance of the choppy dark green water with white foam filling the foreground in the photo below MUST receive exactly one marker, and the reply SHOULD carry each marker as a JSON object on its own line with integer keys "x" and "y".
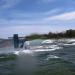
{"x": 56, "y": 59}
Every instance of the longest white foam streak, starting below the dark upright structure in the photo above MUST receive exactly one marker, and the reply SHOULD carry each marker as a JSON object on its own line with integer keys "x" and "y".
{"x": 39, "y": 49}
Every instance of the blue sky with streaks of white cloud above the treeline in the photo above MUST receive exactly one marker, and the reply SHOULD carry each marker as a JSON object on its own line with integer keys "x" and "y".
{"x": 25, "y": 17}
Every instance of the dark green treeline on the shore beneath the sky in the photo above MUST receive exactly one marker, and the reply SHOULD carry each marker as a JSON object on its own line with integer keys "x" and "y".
{"x": 66, "y": 34}
